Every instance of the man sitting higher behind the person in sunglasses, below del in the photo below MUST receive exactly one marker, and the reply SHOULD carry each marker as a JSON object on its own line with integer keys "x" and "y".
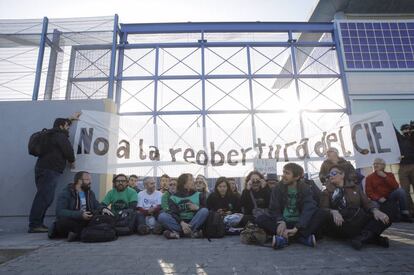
{"x": 334, "y": 159}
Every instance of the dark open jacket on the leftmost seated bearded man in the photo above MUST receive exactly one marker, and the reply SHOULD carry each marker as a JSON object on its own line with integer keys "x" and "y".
{"x": 68, "y": 203}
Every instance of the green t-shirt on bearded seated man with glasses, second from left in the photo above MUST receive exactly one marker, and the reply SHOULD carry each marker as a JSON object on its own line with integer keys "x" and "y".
{"x": 120, "y": 200}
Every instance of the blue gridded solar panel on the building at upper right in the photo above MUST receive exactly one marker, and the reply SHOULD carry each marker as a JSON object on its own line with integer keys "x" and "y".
{"x": 376, "y": 45}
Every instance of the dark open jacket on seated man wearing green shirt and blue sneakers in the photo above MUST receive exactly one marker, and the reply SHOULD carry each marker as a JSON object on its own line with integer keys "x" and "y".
{"x": 305, "y": 203}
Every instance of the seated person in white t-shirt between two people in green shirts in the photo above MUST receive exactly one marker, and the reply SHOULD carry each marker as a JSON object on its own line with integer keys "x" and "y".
{"x": 149, "y": 206}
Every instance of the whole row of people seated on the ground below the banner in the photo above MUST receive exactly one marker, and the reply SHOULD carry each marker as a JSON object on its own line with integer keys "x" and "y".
{"x": 292, "y": 210}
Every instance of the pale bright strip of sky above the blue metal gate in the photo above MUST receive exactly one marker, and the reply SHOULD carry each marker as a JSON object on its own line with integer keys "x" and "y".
{"x": 152, "y": 11}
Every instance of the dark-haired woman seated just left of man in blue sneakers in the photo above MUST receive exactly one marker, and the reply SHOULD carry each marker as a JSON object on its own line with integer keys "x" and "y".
{"x": 256, "y": 195}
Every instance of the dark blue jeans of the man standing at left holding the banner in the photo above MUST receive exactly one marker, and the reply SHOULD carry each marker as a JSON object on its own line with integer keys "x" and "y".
{"x": 46, "y": 181}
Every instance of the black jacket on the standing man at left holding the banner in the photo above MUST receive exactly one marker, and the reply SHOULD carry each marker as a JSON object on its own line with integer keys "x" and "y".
{"x": 59, "y": 151}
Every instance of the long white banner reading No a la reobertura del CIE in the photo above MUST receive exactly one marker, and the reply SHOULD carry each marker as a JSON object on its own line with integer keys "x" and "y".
{"x": 108, "y": 143}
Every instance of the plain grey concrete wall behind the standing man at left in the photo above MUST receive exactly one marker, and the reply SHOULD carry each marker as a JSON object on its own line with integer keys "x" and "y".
{"x": 18, "y": 121}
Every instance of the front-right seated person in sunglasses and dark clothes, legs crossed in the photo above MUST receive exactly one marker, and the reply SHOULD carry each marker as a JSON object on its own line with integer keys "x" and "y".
{"x": 353, "y": 215}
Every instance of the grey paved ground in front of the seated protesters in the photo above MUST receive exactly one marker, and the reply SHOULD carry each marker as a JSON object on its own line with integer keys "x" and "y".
{"x": 155, "y": 255}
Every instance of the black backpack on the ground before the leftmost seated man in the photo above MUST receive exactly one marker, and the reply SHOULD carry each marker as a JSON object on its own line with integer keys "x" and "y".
{"x": 99, "y": 229}
